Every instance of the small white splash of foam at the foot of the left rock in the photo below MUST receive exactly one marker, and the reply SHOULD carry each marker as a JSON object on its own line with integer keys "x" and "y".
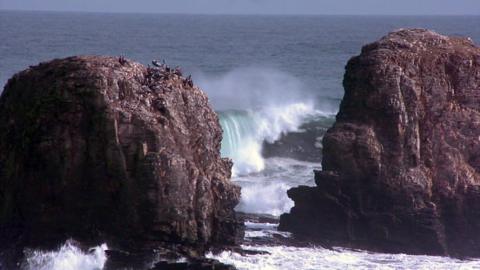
{"x": 68, "y": 257}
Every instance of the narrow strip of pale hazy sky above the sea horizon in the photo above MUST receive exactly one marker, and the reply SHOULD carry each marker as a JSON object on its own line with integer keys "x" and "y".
{"x": 406, "y": 7}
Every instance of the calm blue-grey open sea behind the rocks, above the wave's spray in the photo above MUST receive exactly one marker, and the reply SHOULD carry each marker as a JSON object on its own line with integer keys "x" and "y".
{"x": 313, "y": 49}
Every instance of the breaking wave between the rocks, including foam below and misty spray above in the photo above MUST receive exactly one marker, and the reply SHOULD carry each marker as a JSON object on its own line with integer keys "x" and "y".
{"x": 258, "y": 104}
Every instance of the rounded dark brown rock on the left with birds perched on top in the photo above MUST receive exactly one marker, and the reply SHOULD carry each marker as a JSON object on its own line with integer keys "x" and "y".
{"x": 105, "y": 148}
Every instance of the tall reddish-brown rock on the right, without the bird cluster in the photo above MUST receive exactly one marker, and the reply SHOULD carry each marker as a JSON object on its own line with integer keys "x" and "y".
{"x": 401, "y": 165}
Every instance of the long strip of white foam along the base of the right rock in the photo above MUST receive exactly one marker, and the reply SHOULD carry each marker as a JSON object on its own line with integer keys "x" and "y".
{"x": 294, "y": 258}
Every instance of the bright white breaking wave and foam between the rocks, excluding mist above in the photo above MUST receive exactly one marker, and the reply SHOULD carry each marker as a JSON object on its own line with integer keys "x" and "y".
{"x": 244, "y": 134}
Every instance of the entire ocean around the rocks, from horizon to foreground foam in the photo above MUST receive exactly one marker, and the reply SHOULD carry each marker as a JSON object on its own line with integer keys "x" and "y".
{"x": 276, "y": 83}
